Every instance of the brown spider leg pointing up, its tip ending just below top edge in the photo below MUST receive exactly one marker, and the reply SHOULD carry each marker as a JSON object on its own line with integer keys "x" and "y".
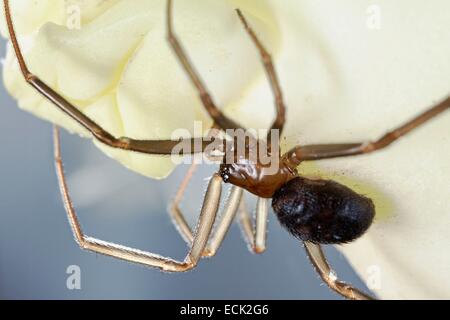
{"x": 280, "y": 119}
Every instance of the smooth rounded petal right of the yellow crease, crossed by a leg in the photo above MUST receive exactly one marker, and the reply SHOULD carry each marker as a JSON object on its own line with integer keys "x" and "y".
{"x": 155, "y": 96}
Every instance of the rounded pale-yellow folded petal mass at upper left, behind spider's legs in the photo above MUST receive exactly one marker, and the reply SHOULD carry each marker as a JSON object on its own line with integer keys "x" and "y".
{"x": 120, "y": 62}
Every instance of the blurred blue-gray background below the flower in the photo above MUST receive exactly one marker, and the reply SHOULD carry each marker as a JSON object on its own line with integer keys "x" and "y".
{"x": 37, "y": 247}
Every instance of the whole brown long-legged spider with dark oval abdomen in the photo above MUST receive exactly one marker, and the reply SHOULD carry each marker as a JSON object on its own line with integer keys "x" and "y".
{"x": 314, "y": 211}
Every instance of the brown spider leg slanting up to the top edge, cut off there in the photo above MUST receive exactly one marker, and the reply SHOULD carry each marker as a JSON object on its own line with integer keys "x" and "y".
{"x": 219, "y": 118}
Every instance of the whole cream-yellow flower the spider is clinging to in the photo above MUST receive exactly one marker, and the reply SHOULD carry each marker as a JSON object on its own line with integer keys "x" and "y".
{"x": 350, "y": 71}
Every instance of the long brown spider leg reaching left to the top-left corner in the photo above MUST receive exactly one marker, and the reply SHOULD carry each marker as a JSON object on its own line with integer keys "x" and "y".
{"x": 159, "y": 147}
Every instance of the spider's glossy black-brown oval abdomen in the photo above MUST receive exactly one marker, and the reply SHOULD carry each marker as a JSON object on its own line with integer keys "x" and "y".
{"x": 322, "y": 211}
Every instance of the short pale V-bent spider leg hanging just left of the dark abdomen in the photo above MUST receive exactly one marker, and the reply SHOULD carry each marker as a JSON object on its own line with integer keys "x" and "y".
{"x": 254, "y": 236}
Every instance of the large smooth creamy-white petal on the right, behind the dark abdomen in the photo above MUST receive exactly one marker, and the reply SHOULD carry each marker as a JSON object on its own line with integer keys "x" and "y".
{"x": 345, "y": 82}
